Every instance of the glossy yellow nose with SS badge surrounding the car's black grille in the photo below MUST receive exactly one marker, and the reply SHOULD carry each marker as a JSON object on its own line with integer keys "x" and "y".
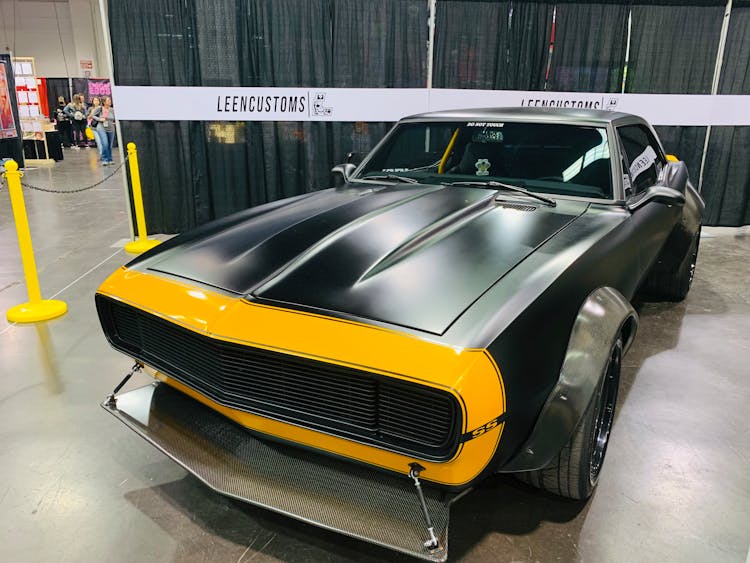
{"x": 468, "y": 375}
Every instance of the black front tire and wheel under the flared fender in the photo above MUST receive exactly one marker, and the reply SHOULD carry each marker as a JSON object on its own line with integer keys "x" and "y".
{"x": 574, "y": 473}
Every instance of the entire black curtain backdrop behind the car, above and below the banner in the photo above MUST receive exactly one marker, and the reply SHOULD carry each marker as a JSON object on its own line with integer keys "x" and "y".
{"x": 197, "y": 171}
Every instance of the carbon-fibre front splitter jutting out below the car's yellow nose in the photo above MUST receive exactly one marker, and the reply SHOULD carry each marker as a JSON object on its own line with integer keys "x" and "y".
{"x": 334, "y": 494}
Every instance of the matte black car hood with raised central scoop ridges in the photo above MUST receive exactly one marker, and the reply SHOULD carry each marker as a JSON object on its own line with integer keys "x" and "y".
{"x": 414, "y": 256}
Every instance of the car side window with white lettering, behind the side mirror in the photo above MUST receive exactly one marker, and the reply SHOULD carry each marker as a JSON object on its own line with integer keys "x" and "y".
{"x": 644, "y": 158}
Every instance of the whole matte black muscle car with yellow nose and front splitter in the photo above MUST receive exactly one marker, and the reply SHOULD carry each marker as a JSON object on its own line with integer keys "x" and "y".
{"x": 359, "y": 356}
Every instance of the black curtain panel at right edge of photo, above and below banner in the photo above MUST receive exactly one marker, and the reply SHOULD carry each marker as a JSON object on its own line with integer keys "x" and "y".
{"x": 726, "y": 178}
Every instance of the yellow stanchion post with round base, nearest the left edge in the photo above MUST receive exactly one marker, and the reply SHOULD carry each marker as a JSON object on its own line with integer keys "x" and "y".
{"x": 36, "y": 309}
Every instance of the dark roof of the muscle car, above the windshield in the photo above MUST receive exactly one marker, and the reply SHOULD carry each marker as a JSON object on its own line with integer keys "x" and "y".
{"x": 517, "y": 113}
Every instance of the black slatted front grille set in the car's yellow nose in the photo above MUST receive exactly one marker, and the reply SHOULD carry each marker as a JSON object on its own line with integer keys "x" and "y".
{"x": 356, "y": 404}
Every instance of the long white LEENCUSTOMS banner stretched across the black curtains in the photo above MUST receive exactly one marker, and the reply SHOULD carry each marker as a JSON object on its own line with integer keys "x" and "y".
{"x": 164, "y": 103}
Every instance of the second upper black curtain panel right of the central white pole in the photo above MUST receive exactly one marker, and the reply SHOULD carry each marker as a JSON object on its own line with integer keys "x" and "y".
{"x": 591, "y": 61}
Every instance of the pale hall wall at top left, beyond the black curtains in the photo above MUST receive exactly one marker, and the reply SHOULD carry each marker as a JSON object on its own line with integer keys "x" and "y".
{"x": 57, "y": 51}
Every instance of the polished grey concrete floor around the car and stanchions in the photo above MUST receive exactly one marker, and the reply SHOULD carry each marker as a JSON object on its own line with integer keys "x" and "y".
{"x": 78, "y": 486}
